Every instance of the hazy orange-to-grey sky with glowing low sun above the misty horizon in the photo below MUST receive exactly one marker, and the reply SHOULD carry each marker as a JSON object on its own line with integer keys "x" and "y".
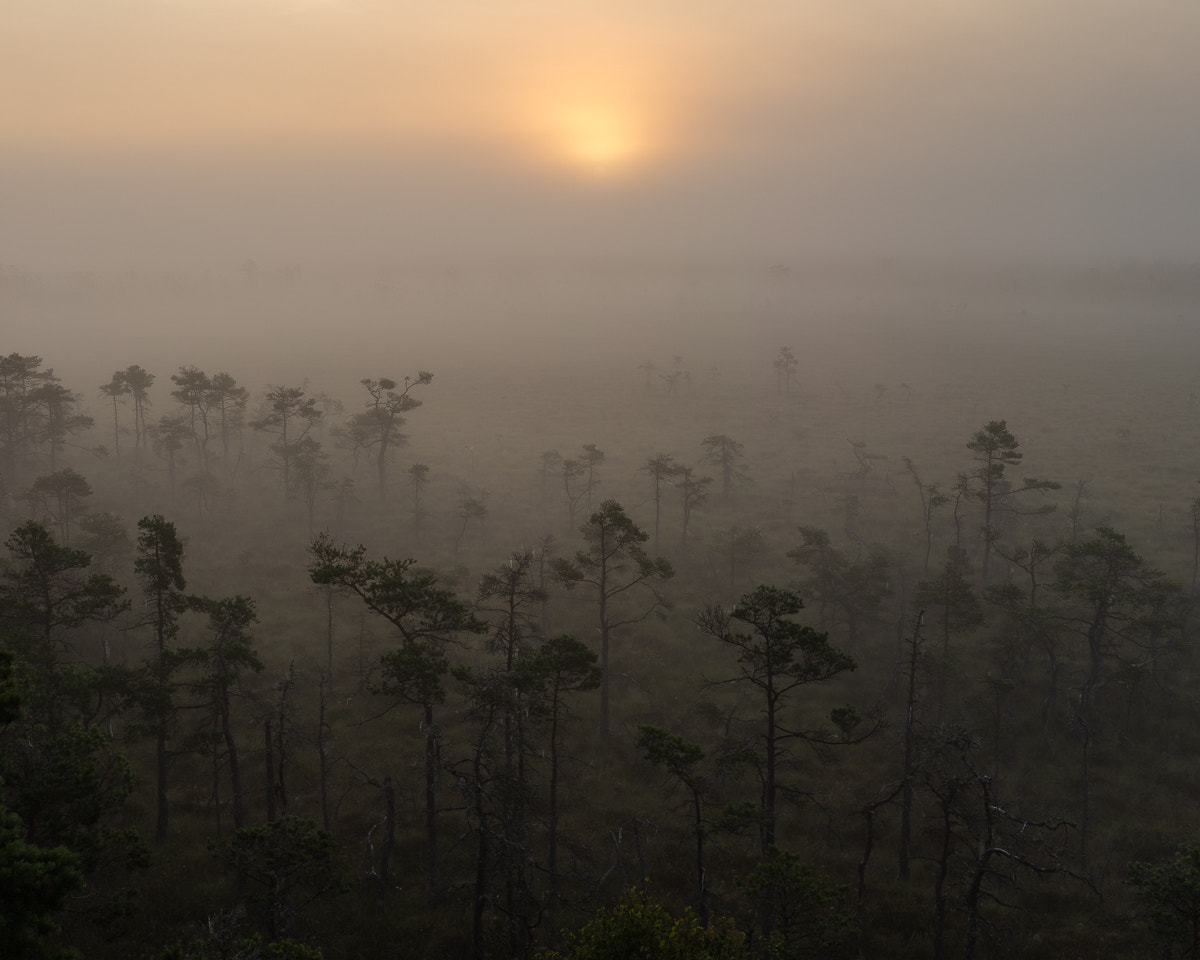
{"x": 206, "y": 133}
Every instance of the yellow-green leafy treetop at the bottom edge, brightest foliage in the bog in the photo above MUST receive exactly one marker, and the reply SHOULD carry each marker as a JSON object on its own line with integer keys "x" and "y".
{"x": 640, "y": 928}
